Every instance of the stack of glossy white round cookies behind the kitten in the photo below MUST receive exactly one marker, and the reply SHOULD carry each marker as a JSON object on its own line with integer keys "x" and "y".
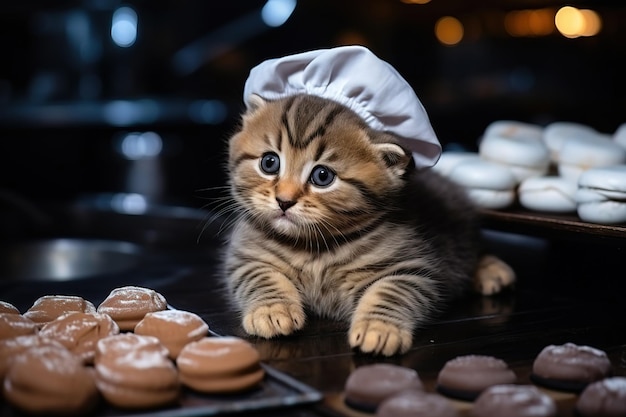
{"x": 563, "y": 167}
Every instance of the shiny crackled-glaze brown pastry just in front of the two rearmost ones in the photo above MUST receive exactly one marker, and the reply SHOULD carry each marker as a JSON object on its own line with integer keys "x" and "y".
{"x": 80, "y": 332}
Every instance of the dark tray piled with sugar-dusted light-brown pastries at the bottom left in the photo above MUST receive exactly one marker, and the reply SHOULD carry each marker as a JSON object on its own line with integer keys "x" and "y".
{"x": 132, "y": 355}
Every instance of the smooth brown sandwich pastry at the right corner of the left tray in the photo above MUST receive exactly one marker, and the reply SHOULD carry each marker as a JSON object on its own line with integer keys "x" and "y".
{"x": 220, "y": 365}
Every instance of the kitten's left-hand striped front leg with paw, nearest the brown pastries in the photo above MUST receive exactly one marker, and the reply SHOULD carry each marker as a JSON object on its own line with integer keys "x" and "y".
{"x": 271, "y": 306}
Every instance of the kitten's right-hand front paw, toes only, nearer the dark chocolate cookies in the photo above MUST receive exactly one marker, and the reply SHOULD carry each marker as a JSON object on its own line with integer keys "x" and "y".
{"x": 379, "y": 337}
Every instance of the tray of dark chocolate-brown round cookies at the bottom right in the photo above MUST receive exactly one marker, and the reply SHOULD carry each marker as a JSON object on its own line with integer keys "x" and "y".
{"x": 567, "y": 380}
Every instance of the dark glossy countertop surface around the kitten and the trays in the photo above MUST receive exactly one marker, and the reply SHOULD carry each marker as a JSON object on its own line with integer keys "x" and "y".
{"x": 570, "y": 289}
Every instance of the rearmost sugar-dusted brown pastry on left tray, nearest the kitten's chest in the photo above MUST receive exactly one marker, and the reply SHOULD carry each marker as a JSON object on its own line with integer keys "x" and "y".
{"x": 128, "y": 305}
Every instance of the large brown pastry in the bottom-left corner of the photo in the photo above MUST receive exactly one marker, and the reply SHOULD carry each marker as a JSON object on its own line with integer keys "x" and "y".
{"x": 50, "y": 380}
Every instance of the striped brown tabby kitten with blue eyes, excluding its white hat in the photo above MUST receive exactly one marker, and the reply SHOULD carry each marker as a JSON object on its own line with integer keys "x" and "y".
{"x": 334, "y": 218}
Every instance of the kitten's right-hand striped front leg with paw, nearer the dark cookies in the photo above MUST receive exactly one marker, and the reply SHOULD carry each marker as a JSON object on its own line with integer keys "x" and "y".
{"x": 381, "y": 326}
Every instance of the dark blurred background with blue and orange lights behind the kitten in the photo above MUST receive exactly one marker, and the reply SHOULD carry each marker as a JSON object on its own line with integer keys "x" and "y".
{"x": 138, "y": 97}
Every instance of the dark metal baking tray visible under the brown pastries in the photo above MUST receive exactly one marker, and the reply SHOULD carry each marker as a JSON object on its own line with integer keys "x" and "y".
{"x": 276, "y": 391}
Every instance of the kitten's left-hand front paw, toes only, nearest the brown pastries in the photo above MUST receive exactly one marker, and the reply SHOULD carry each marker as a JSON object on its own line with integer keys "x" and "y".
{"x": 273, "y": 320}
